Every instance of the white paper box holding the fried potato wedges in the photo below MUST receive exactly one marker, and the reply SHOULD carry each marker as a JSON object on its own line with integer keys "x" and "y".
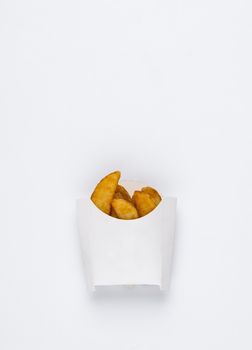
{"x": 127, "y": 252}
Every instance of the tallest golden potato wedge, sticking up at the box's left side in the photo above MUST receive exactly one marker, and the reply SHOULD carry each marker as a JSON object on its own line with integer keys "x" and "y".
{"x": 105, "y": 190}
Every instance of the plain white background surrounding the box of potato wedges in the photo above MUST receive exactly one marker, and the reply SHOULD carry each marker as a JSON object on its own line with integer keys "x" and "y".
{"x": 162, "y": 91}
